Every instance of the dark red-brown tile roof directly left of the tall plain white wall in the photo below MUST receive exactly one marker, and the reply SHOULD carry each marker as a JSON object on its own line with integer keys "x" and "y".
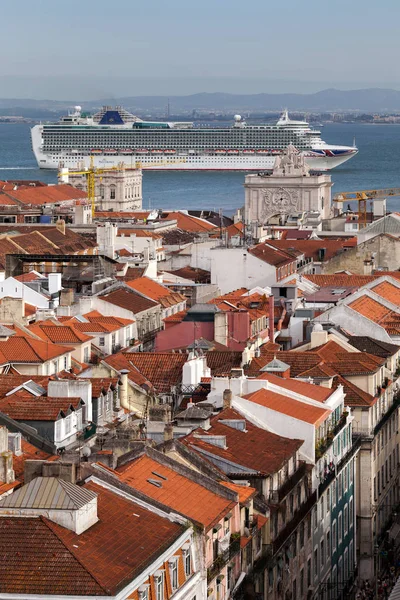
{"x": 255, "y": 448}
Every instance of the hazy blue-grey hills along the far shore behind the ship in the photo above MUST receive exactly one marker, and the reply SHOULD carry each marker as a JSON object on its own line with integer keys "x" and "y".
{"x": 366, "y": 100}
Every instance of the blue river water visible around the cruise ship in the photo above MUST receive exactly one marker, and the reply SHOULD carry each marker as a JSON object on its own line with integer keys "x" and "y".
{"x": 377, "y": 165}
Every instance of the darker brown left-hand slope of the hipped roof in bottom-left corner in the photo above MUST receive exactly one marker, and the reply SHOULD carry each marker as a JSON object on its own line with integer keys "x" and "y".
{"x": 31, "y": 556}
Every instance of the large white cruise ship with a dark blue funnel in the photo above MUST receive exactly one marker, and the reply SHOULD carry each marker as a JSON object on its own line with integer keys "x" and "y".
{"x": 113, "y": 136}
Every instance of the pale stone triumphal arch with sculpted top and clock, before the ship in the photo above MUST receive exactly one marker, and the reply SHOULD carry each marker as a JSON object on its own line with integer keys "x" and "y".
{"x": 290, "y": 189}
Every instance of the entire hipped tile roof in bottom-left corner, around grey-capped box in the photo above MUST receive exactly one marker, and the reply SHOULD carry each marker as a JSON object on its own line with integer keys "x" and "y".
{"x": 84, "y": 564}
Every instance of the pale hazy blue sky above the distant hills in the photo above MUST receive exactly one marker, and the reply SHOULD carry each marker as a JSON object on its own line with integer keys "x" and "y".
{"x": 93, "y": 49}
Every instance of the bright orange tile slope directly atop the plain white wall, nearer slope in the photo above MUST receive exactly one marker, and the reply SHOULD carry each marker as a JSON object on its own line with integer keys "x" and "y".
{"x": 292, "y": 408}
